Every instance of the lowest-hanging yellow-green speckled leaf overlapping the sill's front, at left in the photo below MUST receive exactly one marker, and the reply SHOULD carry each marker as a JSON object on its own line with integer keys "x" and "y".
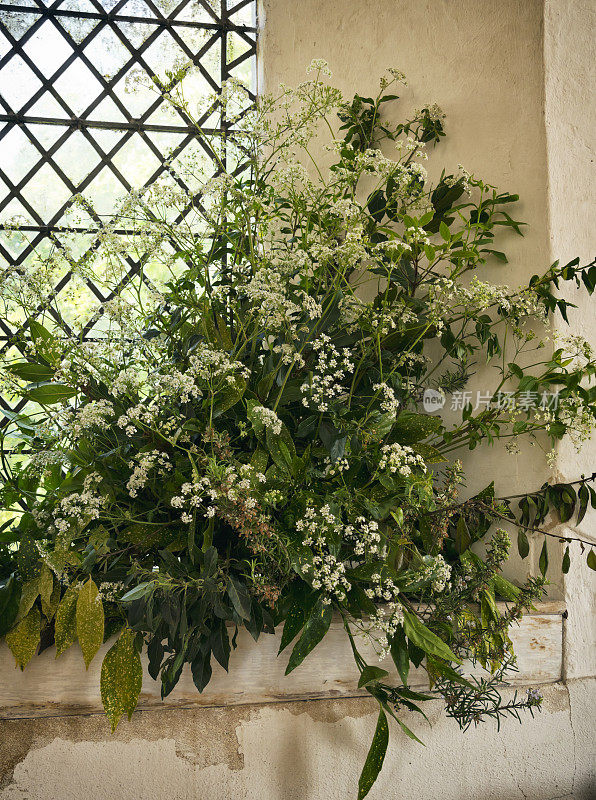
{"x": 121, "y": 678}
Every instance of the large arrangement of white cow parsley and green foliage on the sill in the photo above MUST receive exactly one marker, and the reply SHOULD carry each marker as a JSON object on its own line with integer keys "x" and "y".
{"x": 245, "y": 444}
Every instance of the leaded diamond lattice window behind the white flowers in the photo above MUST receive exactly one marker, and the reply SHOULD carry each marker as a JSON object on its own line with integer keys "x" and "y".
{"x": 77, "y": 116}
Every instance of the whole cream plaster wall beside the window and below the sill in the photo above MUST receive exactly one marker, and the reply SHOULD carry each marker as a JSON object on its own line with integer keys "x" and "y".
{"x": 497, "y": 69}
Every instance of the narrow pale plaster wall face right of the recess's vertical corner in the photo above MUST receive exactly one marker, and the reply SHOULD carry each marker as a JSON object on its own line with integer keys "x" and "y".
{"x": 570, "y": 117}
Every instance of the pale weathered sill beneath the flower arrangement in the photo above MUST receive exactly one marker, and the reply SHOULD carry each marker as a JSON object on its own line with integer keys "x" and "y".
{"x": 256, "y": 676}
